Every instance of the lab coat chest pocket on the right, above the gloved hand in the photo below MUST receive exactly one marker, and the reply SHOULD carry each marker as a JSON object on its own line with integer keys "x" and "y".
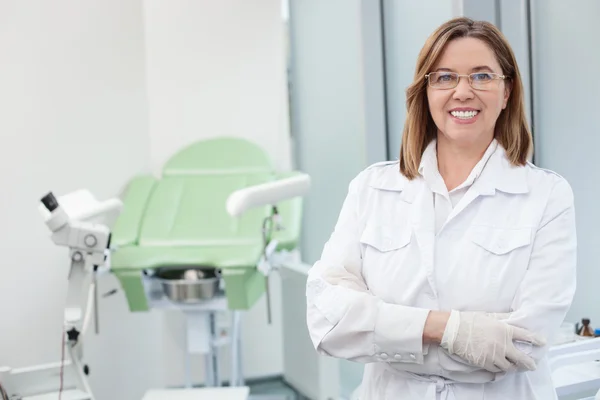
{"x": 502, "y": 256}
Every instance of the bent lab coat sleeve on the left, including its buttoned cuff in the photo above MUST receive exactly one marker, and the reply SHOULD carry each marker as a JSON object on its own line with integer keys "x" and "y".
{"x": 344, "y": 319}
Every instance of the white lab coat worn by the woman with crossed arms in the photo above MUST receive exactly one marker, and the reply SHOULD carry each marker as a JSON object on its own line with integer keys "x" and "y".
{"x": 509, "y": 245}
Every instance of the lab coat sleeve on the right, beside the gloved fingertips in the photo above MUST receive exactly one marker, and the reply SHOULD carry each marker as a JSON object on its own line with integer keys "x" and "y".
{"x": 547, "y": 290}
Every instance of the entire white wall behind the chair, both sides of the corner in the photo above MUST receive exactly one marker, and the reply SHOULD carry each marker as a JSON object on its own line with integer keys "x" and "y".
{"x": 79, "y": 110}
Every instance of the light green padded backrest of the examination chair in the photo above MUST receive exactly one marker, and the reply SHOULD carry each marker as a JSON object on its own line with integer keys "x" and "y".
{"x": 187, "y": 206}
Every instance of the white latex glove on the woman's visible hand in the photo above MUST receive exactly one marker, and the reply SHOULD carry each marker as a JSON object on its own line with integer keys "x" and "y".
{"x": 487, "y": 343}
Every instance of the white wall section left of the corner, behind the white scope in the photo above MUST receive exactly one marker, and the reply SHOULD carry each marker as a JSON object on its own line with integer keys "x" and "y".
{"x": 74, "y": 115}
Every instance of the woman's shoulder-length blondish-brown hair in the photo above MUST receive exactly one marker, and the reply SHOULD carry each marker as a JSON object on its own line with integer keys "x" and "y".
{"x": 511, "y": 130}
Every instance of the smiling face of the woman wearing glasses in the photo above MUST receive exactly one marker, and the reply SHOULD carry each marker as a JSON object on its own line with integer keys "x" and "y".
{"x": 463, "y": 115}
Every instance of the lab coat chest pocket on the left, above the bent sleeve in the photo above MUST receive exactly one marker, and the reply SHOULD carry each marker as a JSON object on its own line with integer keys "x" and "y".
{"x": 387, "y": 255}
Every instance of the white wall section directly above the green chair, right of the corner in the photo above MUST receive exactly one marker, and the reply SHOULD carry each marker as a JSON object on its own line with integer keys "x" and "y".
{"x": 216, "y": 68}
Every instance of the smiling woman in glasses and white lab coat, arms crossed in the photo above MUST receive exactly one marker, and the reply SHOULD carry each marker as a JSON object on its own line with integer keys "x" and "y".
{"x": 449, "y": 269}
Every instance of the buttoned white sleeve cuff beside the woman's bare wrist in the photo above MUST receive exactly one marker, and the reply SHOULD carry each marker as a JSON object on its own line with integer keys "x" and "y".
{"x": 398, "y": 333}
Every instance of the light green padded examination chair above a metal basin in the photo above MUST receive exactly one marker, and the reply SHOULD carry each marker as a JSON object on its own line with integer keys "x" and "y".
{"x": 180, "y": 220}
